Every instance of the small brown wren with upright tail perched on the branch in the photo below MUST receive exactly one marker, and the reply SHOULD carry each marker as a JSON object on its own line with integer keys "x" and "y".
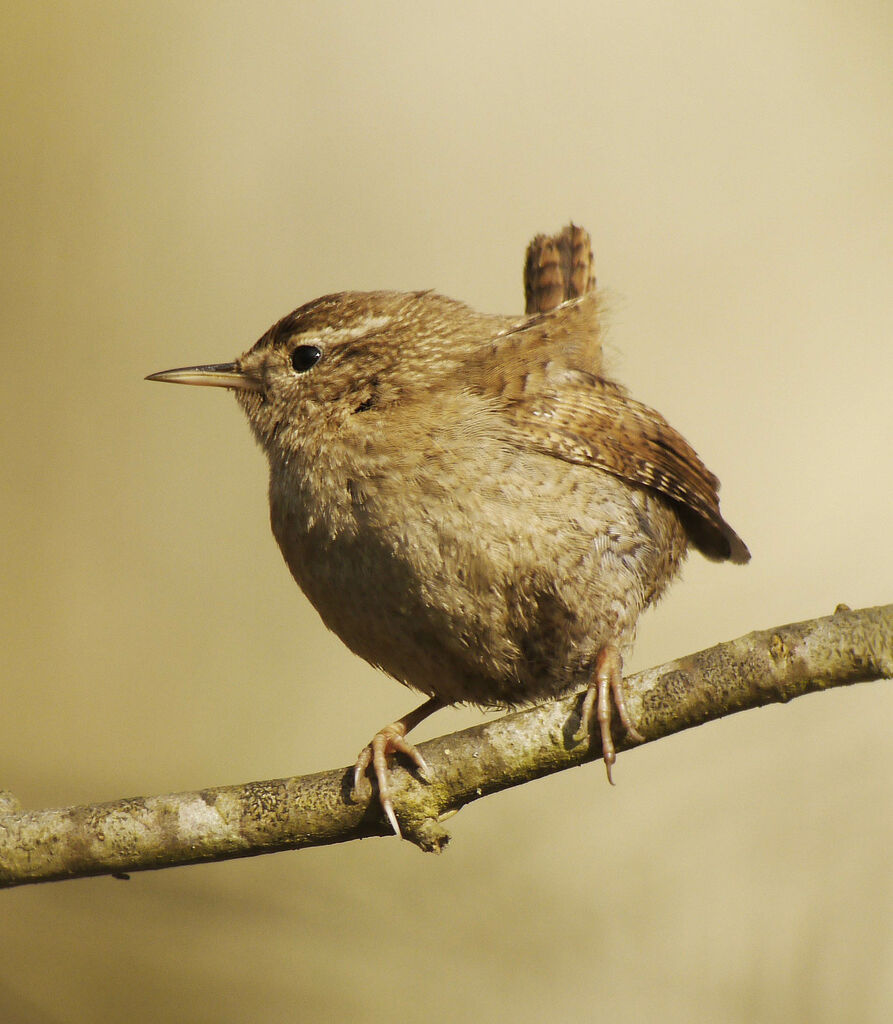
{"x": 470, "y": 502}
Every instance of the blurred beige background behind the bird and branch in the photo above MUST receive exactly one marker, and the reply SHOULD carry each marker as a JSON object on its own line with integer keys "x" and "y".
{"x": 178, "y": 177}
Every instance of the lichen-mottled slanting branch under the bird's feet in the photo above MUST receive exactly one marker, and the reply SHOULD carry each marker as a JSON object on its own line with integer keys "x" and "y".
{"x": 149, "y": 833}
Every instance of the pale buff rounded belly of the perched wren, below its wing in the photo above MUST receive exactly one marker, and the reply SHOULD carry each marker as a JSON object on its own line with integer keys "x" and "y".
{"x": 497, "y": 596}
